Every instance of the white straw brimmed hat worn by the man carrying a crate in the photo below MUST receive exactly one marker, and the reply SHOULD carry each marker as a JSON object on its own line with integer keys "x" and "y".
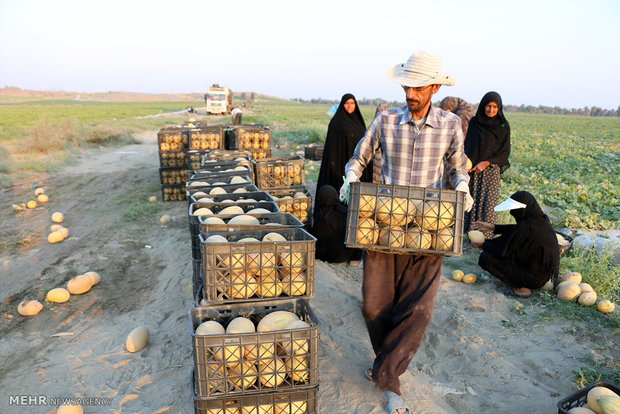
{"x": 421, "y": 69}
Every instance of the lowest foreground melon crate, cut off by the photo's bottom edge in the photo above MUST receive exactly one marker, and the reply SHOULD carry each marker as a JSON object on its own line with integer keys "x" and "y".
{"x": 283, "y": 402}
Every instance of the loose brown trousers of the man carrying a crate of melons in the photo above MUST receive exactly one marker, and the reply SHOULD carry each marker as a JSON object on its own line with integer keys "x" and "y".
{"x": 399, "y": 296}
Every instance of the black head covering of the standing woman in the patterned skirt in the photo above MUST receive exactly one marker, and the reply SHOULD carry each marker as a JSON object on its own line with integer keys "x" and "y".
{"x": 488, "y": 139}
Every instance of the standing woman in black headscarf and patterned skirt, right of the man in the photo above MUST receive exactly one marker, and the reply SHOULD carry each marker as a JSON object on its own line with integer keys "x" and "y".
{"x": 487, "y": 145}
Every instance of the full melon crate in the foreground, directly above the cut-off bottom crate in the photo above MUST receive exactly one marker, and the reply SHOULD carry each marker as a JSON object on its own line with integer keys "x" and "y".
{"x": 255, "y": 363}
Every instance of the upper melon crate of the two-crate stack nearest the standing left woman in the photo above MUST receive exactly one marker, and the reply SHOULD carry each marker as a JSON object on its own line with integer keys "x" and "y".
{"x": 278, "y": 172}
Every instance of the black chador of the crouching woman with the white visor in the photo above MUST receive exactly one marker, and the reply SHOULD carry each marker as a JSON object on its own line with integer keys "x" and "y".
{"x": 531, "y": 245}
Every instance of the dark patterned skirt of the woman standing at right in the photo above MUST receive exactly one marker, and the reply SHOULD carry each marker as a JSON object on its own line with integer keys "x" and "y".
{"x": 484, "y": 189}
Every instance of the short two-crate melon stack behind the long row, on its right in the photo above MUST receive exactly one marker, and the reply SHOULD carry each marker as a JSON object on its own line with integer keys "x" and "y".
{"x": 285, "y": 179}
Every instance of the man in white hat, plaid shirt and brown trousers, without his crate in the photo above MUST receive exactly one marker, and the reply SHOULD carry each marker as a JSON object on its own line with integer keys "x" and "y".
{"x": 399, "y": 290}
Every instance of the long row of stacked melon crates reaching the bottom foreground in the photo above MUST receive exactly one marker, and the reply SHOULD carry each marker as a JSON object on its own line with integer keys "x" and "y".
{"x": 252, "y": 260}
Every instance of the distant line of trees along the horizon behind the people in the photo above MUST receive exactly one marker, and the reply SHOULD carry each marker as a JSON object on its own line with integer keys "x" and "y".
{"x": 530, "y": 109}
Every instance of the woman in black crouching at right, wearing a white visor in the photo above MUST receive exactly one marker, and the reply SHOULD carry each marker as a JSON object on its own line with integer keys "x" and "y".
{"x": 526, "y": 254}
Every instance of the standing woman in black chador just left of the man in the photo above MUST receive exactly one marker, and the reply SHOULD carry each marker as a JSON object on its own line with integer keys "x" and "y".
{"x": 345, "y": 129}
